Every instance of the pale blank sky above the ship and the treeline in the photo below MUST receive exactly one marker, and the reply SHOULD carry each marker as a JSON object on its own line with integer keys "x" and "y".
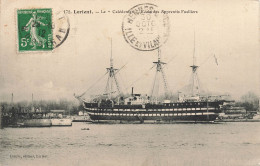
{"x": 226, "y": 32}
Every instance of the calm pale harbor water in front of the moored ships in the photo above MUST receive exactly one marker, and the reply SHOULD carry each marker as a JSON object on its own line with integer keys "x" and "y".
{"x": 225, "y": 144}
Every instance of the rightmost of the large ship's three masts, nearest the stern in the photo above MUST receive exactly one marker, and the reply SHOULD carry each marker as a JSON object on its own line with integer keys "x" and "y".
{"x": 195, "y": 86}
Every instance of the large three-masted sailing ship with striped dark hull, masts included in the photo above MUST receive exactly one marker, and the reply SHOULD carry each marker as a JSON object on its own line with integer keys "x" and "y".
{"x": 143, "y": 108}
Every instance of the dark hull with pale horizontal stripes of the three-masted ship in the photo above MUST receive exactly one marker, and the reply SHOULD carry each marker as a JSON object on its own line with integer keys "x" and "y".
{"x": 169, "y": 113}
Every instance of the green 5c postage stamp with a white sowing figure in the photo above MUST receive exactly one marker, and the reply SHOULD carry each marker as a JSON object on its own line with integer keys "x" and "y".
{"x": 34, "y": 30}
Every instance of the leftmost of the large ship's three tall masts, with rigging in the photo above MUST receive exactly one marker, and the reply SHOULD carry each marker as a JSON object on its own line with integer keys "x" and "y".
{"x": 111, "y": 78}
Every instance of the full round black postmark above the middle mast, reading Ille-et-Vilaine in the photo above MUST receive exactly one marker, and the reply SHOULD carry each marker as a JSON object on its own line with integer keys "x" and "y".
{"x": 144, "y": 28}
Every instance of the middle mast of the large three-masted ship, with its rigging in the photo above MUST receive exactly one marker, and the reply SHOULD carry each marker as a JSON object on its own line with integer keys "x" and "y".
{"x": 159, "y": 70}
